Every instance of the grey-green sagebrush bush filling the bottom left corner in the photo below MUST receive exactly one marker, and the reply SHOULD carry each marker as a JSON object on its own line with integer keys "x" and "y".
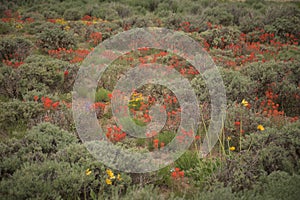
{"x": 47, "y": 180}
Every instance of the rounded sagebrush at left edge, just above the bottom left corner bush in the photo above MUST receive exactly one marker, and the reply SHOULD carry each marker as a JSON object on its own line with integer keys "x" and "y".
{"x": 37, "y": 145}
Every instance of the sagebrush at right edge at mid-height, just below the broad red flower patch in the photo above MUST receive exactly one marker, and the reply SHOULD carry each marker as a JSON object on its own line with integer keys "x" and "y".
{"x": 281, "y": 77}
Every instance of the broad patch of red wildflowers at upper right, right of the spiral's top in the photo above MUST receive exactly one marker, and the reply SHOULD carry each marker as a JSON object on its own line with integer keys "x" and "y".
{"x": 250, "y": 47}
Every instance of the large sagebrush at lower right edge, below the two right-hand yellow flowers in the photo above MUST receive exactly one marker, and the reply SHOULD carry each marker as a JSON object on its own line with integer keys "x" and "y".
{"x": 264, "y": 153}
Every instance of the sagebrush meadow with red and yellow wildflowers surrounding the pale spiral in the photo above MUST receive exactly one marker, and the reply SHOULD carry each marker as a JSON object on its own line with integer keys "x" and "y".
{"x": 253, "y": 43}
